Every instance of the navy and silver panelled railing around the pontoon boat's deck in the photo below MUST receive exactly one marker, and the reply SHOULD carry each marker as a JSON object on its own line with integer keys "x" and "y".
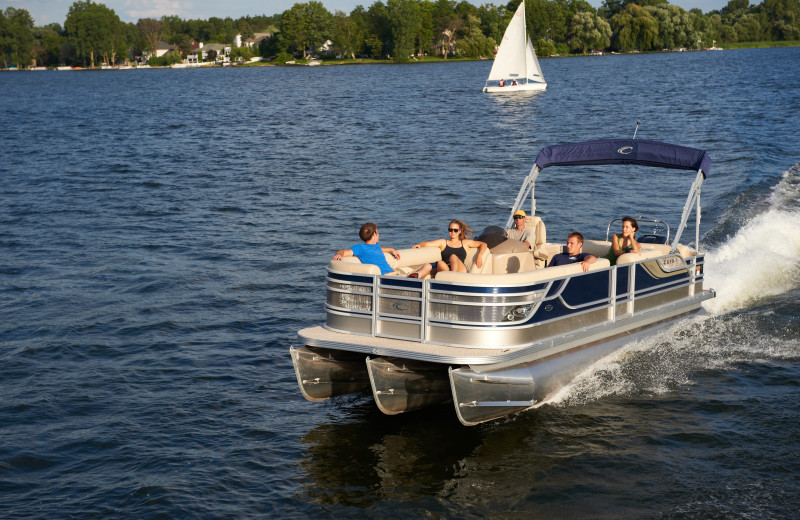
{"x": 462, "y": 311}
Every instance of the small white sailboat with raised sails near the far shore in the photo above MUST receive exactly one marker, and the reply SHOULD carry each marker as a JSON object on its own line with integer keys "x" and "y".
{"x": 515, "y": 67}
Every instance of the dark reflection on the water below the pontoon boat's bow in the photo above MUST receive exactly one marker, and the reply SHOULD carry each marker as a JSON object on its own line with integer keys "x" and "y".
{"x": 377, "y": 458}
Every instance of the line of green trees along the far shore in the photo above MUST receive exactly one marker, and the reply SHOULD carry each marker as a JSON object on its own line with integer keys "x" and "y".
{"x": 401, "y": 30}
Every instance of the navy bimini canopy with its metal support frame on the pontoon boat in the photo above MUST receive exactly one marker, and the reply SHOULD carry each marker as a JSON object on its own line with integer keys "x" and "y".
{"x": 623, "y": 151}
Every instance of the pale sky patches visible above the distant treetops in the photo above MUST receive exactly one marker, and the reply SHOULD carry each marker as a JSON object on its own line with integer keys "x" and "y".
{"x": 46, "y": 12}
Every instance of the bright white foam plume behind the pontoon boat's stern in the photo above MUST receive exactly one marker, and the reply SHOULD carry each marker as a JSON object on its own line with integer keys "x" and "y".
{"x": 763, "y": 258}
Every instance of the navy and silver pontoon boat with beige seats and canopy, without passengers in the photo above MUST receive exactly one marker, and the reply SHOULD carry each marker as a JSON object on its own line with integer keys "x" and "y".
{"x": 504, "y": 338}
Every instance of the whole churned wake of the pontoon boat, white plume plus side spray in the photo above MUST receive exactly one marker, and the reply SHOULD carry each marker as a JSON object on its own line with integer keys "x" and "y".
{"x": 756, "y": 272}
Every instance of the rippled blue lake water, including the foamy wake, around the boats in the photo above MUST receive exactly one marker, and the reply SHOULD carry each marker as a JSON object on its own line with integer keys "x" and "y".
{"x": 164, "y": 234}
